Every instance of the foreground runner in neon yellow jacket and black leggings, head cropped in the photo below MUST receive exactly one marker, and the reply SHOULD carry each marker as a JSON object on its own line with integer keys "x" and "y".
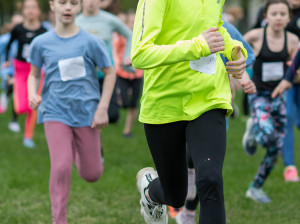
{"x": 185, "y": 99}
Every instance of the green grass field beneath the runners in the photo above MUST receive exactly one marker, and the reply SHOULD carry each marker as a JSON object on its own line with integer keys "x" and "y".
{"x": 24, "y": 175}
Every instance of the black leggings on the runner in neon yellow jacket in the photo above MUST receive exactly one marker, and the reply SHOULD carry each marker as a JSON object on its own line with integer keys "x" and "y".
{"x": 206, "y": 140}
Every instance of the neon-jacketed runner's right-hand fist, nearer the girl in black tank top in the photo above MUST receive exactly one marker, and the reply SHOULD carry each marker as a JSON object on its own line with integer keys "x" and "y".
{"x": 237, "y": 66}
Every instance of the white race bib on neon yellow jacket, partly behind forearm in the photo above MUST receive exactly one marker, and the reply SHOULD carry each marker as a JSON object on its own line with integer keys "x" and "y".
{"x": 205, "y": 65}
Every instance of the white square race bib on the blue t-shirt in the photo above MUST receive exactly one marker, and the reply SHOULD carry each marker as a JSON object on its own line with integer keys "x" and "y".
{"x": 72, "y": 68}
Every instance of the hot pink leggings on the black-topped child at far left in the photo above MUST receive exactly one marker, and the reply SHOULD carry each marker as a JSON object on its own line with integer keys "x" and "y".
{"x": 21, "y": 103}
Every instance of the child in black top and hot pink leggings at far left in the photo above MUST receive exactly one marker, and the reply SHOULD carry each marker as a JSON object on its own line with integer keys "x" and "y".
{"x": 24, "y": 33}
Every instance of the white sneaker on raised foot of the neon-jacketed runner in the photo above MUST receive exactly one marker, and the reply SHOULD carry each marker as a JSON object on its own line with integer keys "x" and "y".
{"x": 153, "y": 213}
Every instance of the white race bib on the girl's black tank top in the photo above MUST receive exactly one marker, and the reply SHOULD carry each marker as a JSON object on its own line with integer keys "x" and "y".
{"x": 272, "y": 71}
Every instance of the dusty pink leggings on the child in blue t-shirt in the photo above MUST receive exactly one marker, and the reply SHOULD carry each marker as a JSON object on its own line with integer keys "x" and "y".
{"x": 67, "y": 144}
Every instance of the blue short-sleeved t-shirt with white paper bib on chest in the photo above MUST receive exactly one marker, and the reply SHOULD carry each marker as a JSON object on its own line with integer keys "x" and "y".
{"x": 70, "y": 91}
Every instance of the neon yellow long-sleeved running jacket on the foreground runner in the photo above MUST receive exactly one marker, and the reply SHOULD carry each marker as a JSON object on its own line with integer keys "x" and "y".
{"x": 180, "y": 82}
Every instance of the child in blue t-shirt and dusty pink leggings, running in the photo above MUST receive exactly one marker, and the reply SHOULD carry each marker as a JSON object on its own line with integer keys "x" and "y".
{"x": 69, "y": 106}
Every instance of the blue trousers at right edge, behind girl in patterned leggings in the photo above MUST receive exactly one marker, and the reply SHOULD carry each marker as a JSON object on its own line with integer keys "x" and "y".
{"x": 293, "y": 116}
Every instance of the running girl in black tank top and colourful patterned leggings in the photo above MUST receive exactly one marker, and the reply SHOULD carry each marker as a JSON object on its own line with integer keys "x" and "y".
{"x": 273, "y": 47}
